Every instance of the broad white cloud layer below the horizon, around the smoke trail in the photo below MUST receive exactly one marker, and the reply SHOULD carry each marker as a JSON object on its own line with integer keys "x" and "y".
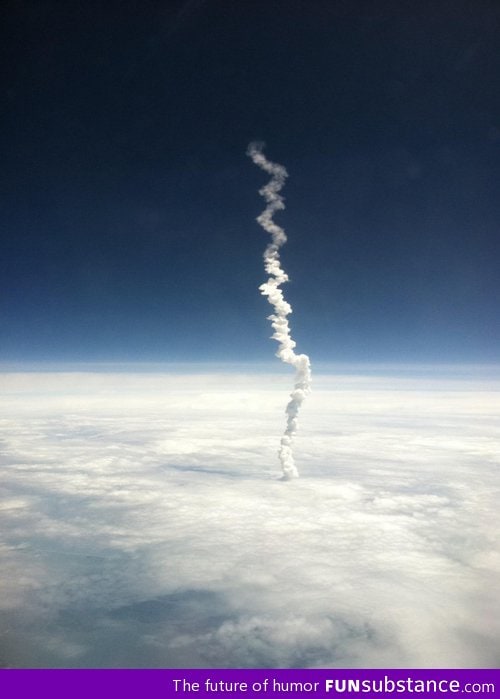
{"x": 144, "y": 523}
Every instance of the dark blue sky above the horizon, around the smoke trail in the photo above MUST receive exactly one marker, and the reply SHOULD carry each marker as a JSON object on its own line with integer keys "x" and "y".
{"x": 128, "y": 205}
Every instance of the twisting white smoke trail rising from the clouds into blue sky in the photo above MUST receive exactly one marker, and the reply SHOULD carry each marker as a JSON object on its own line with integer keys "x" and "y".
{"x": 282, "y": 308}
